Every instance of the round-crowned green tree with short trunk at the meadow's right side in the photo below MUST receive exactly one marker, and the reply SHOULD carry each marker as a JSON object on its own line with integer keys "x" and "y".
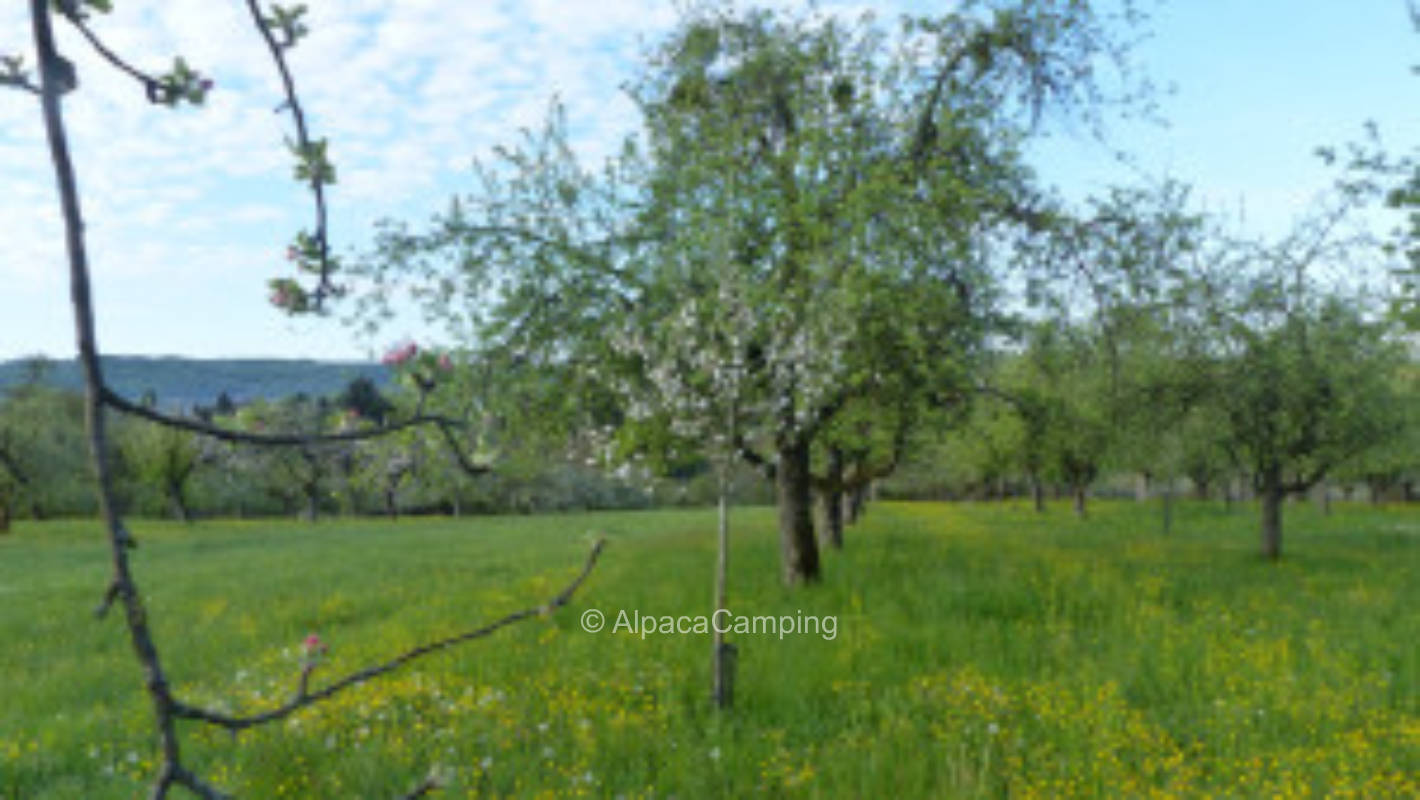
{"x": 1304, "y": 373}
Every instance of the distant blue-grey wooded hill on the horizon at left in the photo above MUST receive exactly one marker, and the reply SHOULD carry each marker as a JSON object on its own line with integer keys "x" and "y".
{"x": 185, "y": 383}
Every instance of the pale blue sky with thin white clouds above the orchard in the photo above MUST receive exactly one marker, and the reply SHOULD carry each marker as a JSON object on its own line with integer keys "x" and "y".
{"x": 190, "y": 212}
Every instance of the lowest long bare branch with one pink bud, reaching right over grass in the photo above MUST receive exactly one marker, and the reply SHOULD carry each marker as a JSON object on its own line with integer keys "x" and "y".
{"x": 303, "y": 698}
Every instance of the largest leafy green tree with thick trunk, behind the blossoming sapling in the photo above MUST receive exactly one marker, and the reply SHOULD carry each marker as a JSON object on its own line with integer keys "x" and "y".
{"x": 851, "y": 178}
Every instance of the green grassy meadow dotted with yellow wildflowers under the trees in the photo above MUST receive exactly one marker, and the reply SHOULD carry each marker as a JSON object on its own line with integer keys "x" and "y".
{"x": 982, "y": 652}
